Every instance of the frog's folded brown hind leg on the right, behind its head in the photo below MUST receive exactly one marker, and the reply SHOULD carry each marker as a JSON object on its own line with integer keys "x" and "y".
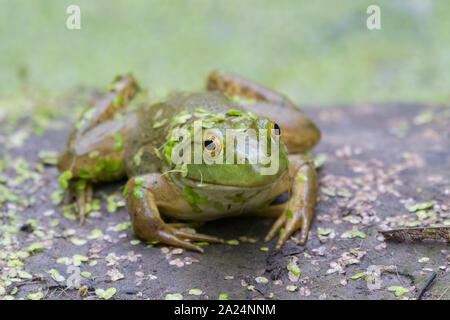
{"x": 298, "y": 132}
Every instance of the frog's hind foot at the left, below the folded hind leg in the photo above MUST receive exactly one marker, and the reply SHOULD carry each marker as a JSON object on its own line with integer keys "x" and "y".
{"x": 82, "y": 191}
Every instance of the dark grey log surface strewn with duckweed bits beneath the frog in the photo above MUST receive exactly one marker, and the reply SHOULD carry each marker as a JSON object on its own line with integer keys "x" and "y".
{"x": 380, "y": 161}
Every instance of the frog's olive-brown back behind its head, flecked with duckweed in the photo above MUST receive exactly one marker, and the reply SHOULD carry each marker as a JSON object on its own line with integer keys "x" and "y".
{"x": 142, "y": 152}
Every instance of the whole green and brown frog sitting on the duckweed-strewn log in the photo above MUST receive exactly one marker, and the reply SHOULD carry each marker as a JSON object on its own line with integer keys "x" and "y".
{"x": 168, "y": 195}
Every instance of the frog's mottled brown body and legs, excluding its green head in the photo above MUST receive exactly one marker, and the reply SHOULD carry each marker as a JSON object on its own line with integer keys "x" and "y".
{"x": 93, "y": 155}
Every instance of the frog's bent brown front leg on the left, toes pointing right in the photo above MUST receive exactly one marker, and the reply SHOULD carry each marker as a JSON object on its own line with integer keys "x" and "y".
{"x": 144, "y": 194}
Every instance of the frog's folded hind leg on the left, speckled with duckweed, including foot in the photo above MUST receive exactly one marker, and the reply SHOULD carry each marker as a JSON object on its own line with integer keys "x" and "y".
{"x": 94, "y": 149}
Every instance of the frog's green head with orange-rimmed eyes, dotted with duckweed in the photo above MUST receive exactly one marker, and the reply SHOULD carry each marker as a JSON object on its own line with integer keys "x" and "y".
{"x": 231, "y": 146}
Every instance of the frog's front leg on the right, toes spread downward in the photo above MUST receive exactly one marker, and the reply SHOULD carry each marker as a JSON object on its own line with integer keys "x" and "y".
{"x": 297, "y": 213}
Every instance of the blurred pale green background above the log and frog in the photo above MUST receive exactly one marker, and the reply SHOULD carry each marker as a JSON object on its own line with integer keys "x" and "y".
{"x": 317, "y": 52}
